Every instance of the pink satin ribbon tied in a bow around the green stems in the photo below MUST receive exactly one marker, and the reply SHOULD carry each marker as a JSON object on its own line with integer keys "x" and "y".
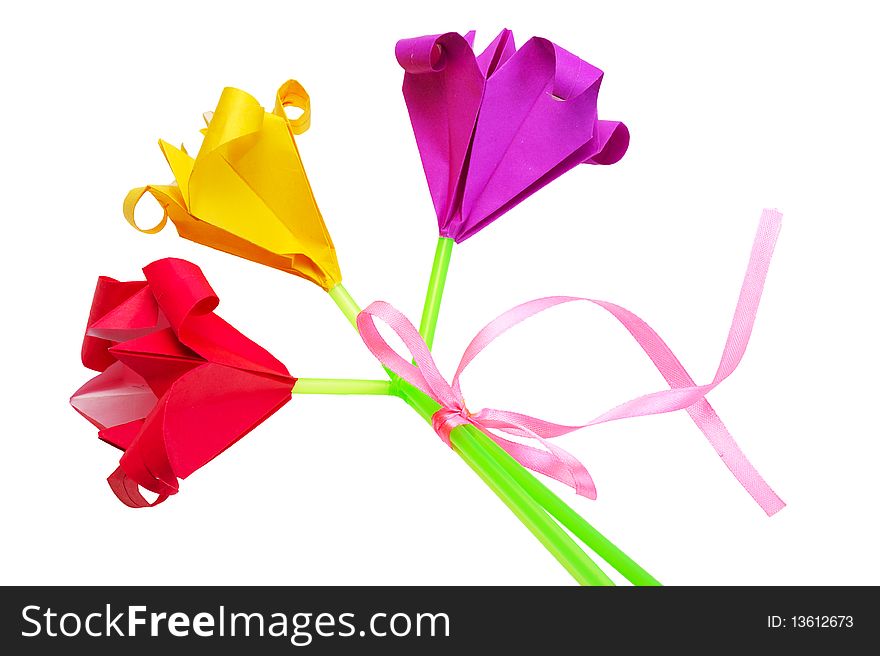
{"x": 555, "y": 462}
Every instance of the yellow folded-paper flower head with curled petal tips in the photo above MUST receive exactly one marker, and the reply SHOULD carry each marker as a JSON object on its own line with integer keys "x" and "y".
{"x": 246, "y": 192}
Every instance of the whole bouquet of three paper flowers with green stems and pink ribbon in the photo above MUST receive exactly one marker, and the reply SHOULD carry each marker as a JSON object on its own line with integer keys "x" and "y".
{"x": 176, "y": 385}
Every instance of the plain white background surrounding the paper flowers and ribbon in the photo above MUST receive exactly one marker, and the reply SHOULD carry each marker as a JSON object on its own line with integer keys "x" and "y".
{"x": 763, "y": 104}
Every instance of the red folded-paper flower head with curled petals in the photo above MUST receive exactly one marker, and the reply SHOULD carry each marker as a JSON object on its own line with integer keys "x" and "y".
{"x": 178, "y": 385}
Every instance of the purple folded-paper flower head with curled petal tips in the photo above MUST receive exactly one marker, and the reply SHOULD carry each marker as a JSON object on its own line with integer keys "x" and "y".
{"x": 493, "y": 129}
